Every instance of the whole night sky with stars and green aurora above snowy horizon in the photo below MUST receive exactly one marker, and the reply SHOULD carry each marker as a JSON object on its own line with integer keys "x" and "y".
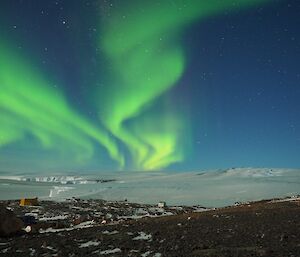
{"x": 127, "y": 85}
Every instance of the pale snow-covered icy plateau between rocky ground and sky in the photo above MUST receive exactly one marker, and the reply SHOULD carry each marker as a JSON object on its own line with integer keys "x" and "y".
{"x": 210, "y": 188}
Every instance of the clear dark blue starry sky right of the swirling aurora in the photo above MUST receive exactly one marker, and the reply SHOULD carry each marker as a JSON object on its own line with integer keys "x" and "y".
{"x": 244, "y": 82}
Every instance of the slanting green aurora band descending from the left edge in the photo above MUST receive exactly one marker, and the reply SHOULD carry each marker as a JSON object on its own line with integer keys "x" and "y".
{"x": 29, "y": 105}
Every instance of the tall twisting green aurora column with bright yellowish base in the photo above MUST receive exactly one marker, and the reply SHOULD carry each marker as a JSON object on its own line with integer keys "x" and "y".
{"x": 147, "y": 58}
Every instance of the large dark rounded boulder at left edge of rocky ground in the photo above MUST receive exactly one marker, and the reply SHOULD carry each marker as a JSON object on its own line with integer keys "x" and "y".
{"x": 9, "y": 223}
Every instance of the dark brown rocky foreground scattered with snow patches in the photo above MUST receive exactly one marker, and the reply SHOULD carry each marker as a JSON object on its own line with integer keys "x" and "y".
{"x": 99, "y": 228}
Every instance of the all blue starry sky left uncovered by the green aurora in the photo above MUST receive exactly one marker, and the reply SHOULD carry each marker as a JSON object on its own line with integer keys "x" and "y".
{"x": 240, "y": 88}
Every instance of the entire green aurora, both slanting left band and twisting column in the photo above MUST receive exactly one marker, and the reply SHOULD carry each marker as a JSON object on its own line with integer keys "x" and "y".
{"x": 146, "y": 59}
